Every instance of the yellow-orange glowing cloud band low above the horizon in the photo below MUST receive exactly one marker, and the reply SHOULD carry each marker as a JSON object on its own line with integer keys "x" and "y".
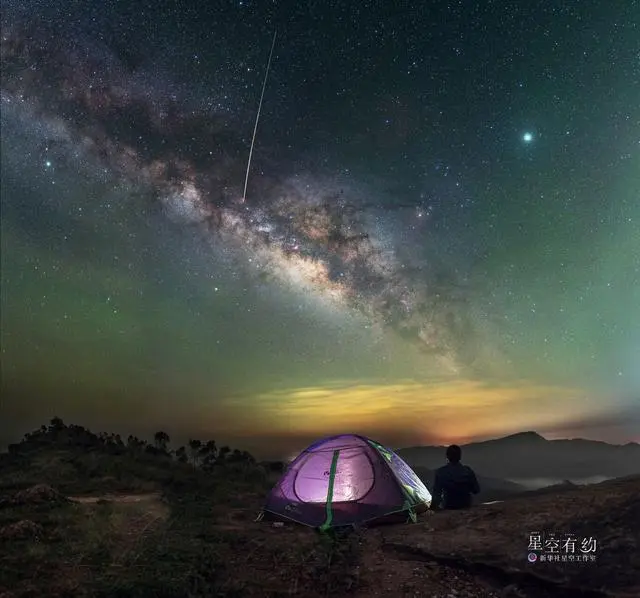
{"x": 448, "y": 411}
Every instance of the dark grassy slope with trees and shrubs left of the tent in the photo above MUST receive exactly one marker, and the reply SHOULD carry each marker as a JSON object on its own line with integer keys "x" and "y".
{"x": 96, "y": 518}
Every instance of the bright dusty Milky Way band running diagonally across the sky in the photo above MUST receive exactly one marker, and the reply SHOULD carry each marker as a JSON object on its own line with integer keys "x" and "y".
{"x": 304, "y": 231}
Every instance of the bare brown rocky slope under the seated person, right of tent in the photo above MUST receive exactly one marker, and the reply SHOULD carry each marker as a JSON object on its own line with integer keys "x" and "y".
{"x": 492, "y": 541}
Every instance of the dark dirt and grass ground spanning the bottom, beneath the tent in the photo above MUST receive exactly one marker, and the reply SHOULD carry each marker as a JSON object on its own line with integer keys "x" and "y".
{"x": 120, "y": 544}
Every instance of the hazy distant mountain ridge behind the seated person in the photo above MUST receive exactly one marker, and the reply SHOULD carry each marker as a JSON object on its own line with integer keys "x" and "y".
{"x": 528, "y": 455}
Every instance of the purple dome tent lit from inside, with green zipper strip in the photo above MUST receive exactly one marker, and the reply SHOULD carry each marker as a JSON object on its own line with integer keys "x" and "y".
{"x": 347, "y": 480}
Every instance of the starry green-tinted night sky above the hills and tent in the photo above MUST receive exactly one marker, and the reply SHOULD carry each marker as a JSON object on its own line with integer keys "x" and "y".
{"x": 440, "y": 239}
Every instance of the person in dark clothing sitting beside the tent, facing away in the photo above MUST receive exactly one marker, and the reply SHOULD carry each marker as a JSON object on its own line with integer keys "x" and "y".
{"x": 454, "y": 483}
